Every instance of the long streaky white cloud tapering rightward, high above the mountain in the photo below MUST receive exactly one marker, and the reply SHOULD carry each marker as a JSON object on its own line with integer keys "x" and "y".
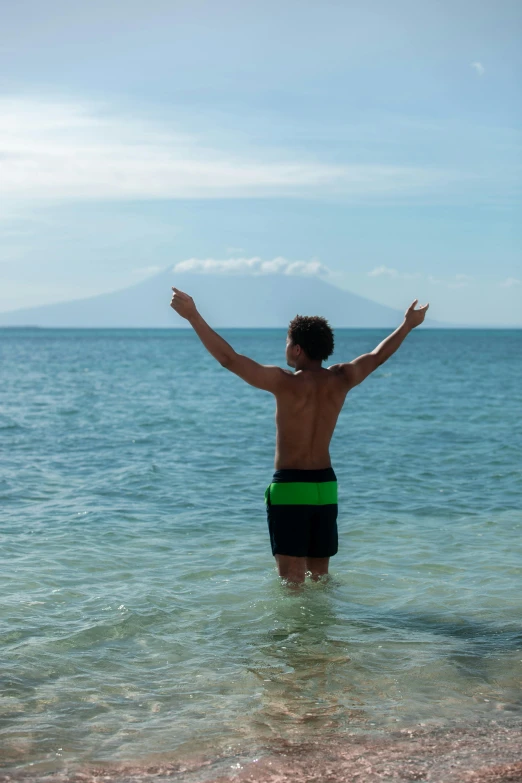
{"x": 65, "y": 150}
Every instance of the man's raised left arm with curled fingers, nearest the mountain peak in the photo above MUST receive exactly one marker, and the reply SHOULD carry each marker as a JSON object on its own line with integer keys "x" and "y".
{"x": 267, "y": 377}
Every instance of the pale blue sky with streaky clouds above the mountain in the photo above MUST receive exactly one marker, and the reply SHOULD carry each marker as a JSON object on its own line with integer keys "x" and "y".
{"x": 375, "y": 143}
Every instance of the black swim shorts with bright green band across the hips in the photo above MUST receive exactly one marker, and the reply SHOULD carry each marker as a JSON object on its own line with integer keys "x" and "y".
{"x": 301, "y": 508}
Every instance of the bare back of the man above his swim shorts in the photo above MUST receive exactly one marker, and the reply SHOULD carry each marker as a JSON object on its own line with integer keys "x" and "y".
{"x": 308, "y": 407}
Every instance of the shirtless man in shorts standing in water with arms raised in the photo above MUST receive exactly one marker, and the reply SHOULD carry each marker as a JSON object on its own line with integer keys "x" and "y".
{"x": 301, "y": 500}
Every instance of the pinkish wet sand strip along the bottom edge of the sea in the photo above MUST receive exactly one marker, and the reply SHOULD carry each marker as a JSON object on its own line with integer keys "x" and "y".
{"x": 484, "y": 753}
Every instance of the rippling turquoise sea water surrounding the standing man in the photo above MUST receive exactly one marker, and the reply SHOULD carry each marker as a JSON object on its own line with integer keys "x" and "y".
{"x": 141, "y": 611}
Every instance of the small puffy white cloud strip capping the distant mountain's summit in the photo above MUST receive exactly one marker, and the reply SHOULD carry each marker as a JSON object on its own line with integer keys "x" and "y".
{"x": 253, "y": 266}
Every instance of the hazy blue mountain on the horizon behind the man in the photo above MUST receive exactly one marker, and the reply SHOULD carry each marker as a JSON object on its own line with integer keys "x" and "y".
{"x": 224, "y": 300}
